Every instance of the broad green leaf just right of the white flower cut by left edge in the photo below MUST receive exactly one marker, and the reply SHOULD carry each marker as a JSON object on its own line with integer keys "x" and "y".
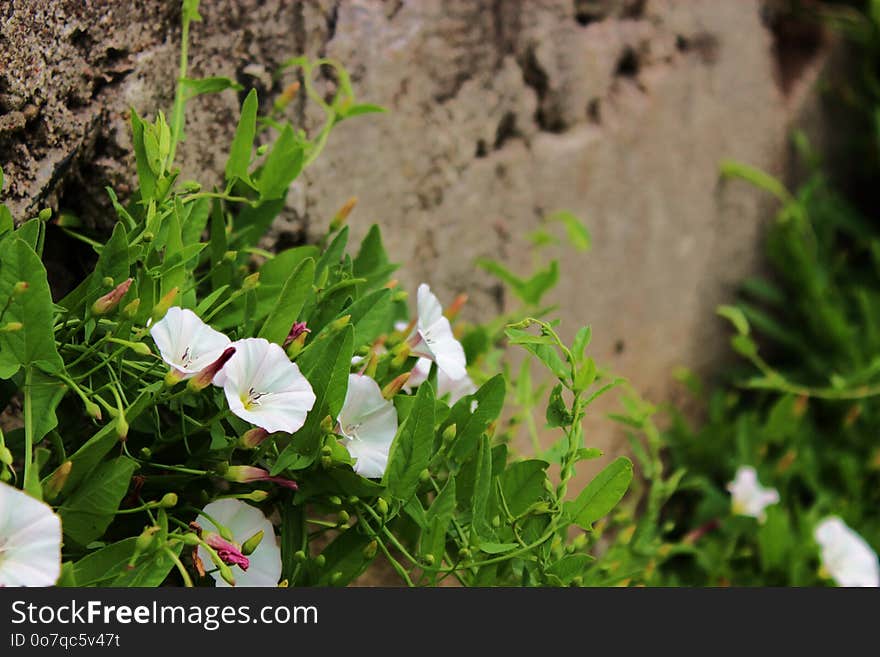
{"x": 86, "y": 515}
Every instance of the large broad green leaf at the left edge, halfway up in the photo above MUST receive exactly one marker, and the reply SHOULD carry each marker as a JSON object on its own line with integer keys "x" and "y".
{"x": 34, "y": 343}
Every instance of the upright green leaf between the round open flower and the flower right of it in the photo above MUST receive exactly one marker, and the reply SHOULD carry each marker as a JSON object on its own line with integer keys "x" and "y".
{"x": 326, "y": 364}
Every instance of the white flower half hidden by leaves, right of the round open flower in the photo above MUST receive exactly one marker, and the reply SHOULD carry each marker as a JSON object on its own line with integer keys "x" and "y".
{"x": 368, "y": 423}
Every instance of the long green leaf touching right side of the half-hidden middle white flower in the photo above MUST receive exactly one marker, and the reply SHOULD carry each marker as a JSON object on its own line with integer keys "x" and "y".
{"x": 412, "y": 448}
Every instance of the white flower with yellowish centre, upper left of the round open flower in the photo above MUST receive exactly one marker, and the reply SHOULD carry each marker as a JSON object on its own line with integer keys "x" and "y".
{"x": 186, "y": 343}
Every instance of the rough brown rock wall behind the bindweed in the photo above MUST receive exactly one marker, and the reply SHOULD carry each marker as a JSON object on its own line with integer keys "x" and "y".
{"x": 500, "y": 112}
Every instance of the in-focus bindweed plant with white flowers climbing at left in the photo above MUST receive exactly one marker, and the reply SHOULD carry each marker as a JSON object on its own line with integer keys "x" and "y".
{"x": 198, "y": 410}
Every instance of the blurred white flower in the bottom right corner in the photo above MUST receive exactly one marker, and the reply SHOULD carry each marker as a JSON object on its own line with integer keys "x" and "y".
{"x": 846, "y": 557}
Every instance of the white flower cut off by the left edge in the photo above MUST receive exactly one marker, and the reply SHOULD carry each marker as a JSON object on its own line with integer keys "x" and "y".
{"x": 30, "y": 540}
